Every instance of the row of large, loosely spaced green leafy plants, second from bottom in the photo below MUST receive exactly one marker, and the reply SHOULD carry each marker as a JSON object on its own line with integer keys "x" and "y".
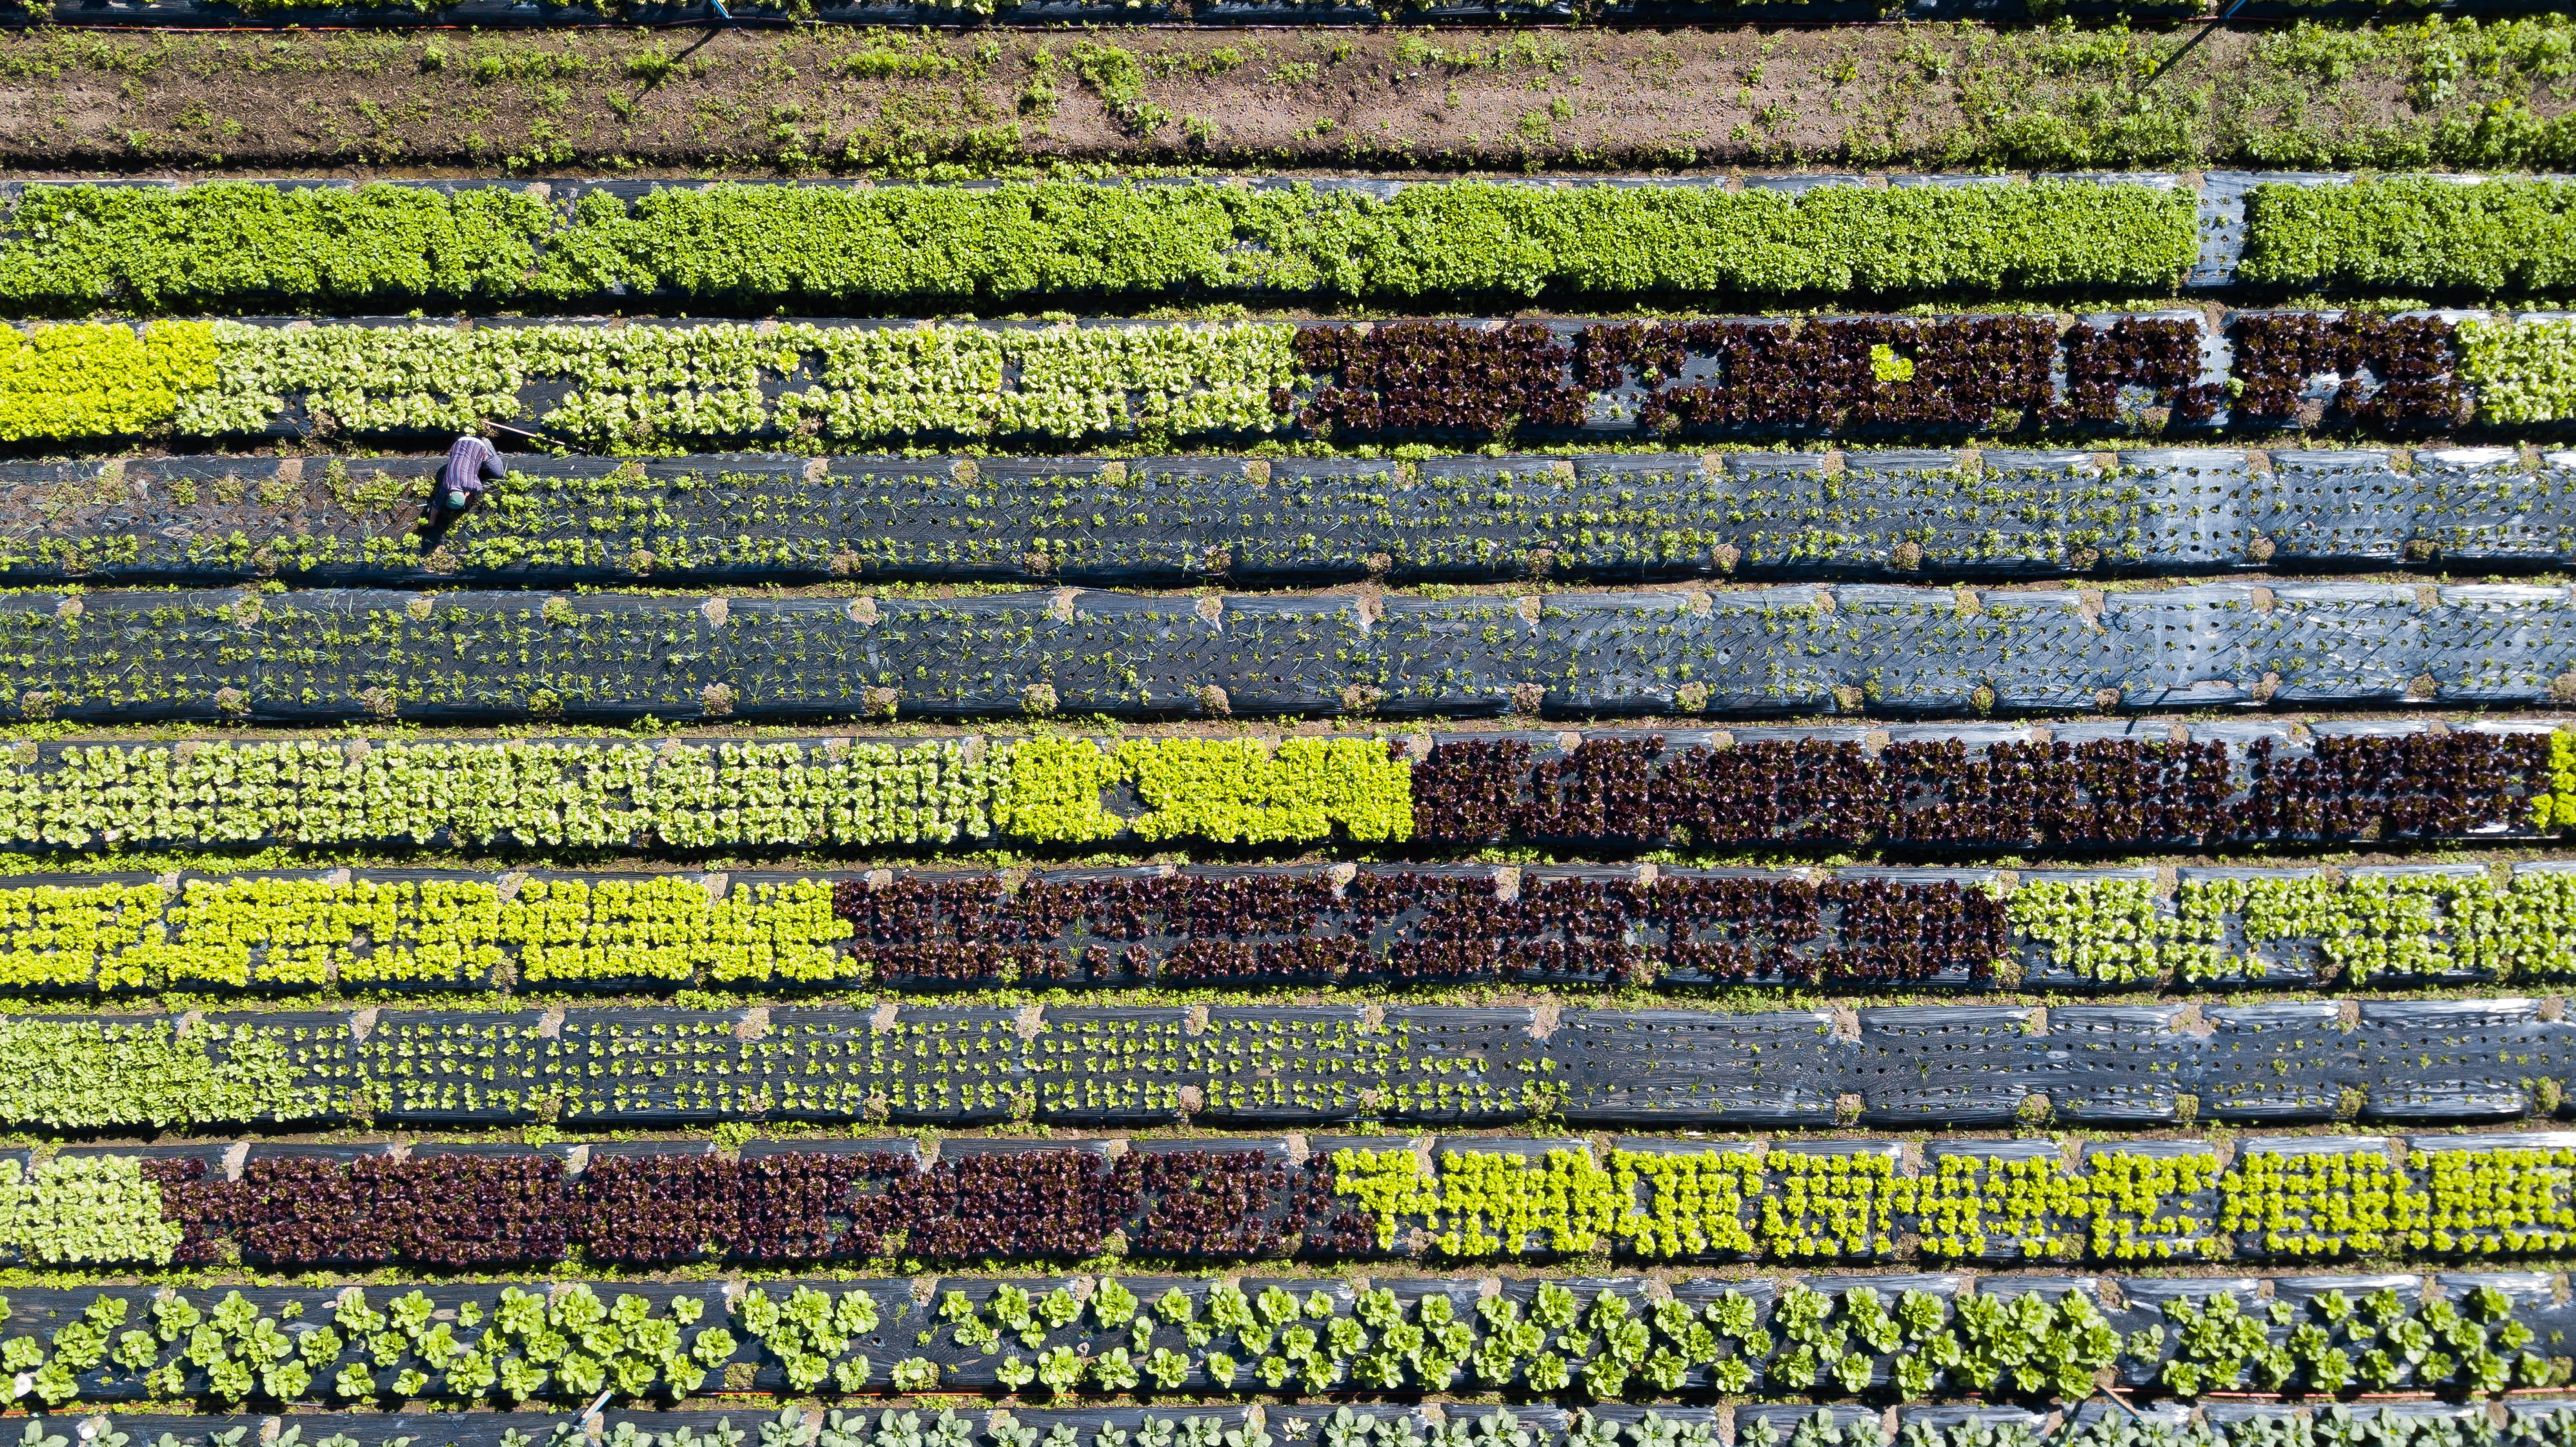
{"x": 1604, "y": 1338}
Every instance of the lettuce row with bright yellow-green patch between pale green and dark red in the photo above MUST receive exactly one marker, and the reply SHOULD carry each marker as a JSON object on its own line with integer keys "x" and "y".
{"x": 2067, "y": 787}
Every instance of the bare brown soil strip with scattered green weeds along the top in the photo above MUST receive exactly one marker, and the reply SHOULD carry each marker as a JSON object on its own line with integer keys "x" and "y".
{"x": 761, "y": 102}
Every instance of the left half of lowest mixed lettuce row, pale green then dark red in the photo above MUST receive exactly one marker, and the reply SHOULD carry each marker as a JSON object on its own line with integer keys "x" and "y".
{"x": 648, "y": 1206}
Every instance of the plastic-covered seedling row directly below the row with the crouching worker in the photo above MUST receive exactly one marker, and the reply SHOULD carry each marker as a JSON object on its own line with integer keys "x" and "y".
{"x": 1786, "y": 650}
